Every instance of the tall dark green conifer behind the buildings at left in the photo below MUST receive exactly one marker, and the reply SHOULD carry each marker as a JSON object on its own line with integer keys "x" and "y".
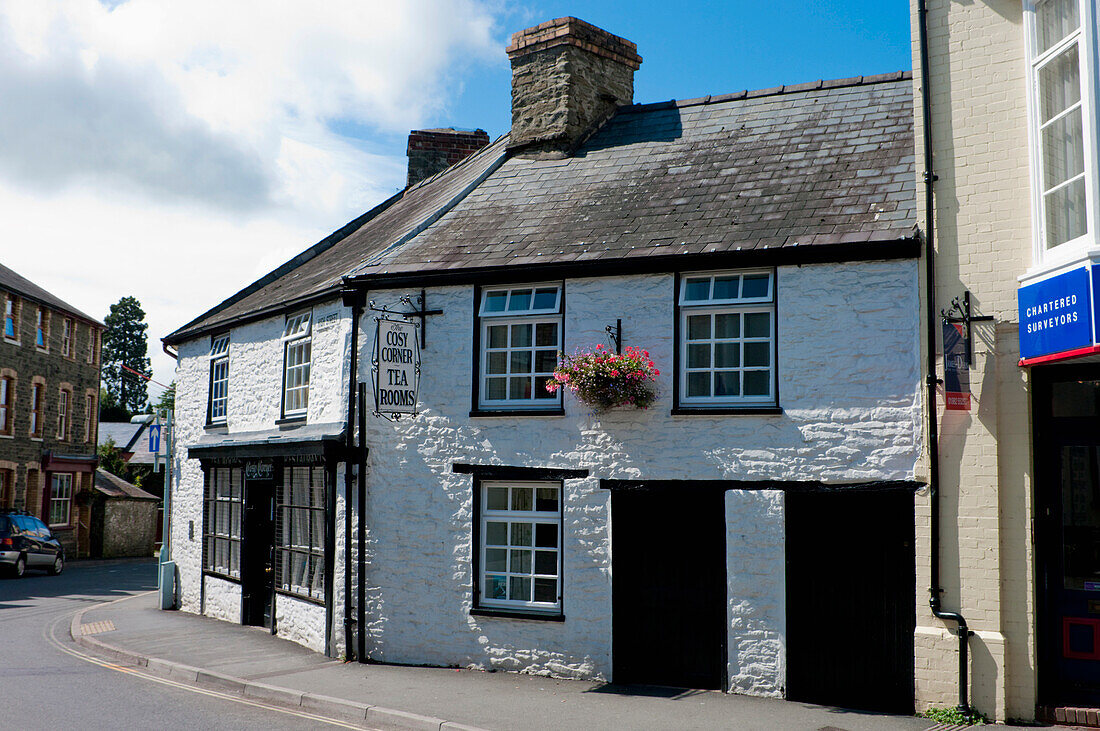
{"x": 126, "y": 345}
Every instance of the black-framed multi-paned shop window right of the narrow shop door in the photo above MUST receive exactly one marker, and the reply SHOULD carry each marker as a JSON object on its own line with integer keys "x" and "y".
{"x": 300, "y": 530}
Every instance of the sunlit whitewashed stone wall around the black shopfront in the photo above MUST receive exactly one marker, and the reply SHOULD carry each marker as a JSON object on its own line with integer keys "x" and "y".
{"x": 255, "y": 404}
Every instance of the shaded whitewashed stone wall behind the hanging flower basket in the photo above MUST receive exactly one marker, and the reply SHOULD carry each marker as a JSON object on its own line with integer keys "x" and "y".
{"x": 850, "y": 387}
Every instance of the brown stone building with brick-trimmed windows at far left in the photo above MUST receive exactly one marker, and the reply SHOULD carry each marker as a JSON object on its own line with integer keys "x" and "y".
{"x": 49, "y": 408}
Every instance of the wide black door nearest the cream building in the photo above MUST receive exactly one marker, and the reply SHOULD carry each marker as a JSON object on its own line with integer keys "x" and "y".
{"x": 851, "y": 610}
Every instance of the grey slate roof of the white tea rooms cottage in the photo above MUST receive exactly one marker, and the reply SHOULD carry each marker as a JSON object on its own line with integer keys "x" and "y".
{"x": 801, "y": 167}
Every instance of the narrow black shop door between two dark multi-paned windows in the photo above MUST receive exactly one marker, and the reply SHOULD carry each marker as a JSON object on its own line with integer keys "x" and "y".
{"x": 258, "y": 560}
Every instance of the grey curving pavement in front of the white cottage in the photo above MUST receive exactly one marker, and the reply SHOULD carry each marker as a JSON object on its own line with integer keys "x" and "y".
{"x": 249, "y": 661}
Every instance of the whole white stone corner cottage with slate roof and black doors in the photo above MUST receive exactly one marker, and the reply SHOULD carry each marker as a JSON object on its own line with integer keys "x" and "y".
{"x": 750, "y": 528}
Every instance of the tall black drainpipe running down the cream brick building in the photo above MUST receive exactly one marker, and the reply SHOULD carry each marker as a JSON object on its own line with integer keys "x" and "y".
{"x": 930, "y": 179}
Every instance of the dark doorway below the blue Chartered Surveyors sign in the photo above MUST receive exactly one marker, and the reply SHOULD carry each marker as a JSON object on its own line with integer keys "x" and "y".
{"x": 1068, "y": 533}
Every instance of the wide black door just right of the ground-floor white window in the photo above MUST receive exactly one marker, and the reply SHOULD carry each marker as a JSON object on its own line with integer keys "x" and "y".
{"x": 669, "y": 588}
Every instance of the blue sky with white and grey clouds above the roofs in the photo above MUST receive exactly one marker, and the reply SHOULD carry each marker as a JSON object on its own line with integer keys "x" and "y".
{"x": 177, "y": 151}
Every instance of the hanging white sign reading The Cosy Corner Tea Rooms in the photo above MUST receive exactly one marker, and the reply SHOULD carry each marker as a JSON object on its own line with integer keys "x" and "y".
{"x": 397, "y": 367}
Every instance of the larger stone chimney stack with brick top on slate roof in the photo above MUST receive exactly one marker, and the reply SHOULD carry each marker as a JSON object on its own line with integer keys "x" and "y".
{"x": 568, "y": 77}
